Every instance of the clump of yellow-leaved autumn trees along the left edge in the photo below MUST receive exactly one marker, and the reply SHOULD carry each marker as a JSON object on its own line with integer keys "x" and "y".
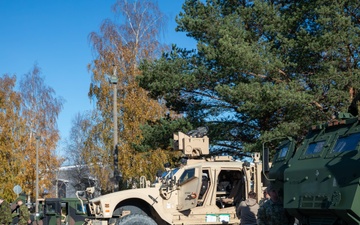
{"x": 24, "y": 115}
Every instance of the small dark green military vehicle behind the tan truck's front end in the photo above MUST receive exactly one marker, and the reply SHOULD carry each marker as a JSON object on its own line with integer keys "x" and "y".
{"x": 62, "y": 211}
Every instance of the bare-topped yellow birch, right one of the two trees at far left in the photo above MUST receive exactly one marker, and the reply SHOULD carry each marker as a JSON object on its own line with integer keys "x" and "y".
{"x": 39, "y": 110}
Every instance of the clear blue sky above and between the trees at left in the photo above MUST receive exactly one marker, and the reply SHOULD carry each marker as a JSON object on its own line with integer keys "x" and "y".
{"x": 54, "y": 35}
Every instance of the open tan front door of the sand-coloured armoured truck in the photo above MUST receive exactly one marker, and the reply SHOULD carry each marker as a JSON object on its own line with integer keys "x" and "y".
{"x": 189, "y": 185}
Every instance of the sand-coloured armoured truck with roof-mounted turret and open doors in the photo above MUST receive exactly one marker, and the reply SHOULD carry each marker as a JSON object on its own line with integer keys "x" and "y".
{"x": 205, "y": 190}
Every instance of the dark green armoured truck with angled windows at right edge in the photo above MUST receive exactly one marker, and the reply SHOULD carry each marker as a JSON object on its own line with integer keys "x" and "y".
{"x": 320, "y": 181}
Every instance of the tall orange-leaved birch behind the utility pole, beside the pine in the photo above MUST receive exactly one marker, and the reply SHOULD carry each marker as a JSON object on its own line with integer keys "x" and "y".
{"x": 119, "y": 46}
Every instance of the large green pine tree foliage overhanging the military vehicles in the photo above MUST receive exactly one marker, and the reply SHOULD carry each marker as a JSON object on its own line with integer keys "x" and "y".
{"x": 262, "y": 69}
